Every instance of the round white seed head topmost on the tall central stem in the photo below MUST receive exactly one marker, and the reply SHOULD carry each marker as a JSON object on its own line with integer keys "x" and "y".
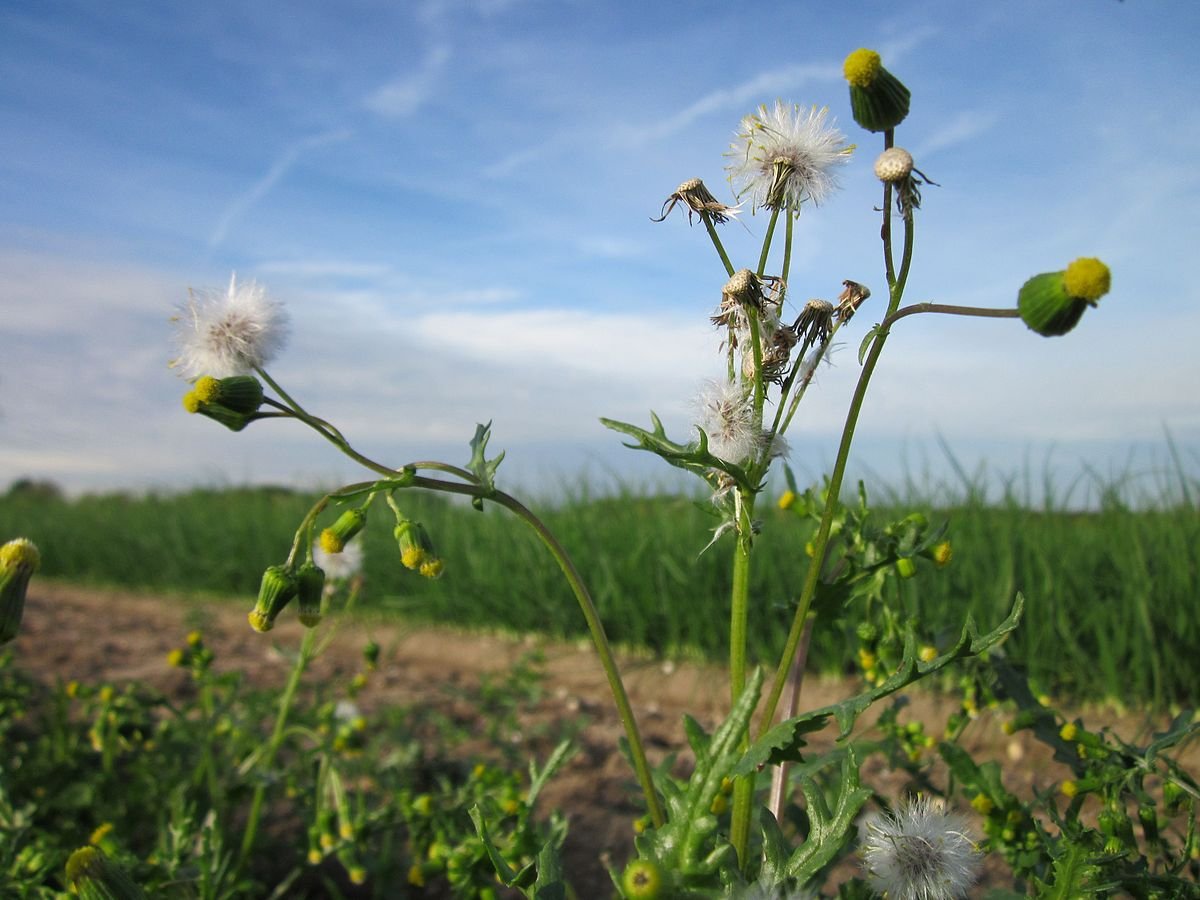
{"x": 787, "y": 155}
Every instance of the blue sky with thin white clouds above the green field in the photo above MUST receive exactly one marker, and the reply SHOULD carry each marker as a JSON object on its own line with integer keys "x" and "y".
{"x": 453, "y": 199}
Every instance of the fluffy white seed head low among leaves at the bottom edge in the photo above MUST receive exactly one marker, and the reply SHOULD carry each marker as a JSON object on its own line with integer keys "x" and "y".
{"x": 920, "y": 851}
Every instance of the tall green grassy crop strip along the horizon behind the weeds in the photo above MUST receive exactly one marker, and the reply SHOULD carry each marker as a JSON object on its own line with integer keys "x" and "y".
{"x": 1113, "y": 599}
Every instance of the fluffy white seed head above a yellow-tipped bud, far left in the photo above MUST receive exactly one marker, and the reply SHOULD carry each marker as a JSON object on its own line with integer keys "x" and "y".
{"x": 230, "y": 333}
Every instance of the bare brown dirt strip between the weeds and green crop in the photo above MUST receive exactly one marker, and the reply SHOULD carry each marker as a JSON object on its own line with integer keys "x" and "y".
{"x": 91, "y": 635}
